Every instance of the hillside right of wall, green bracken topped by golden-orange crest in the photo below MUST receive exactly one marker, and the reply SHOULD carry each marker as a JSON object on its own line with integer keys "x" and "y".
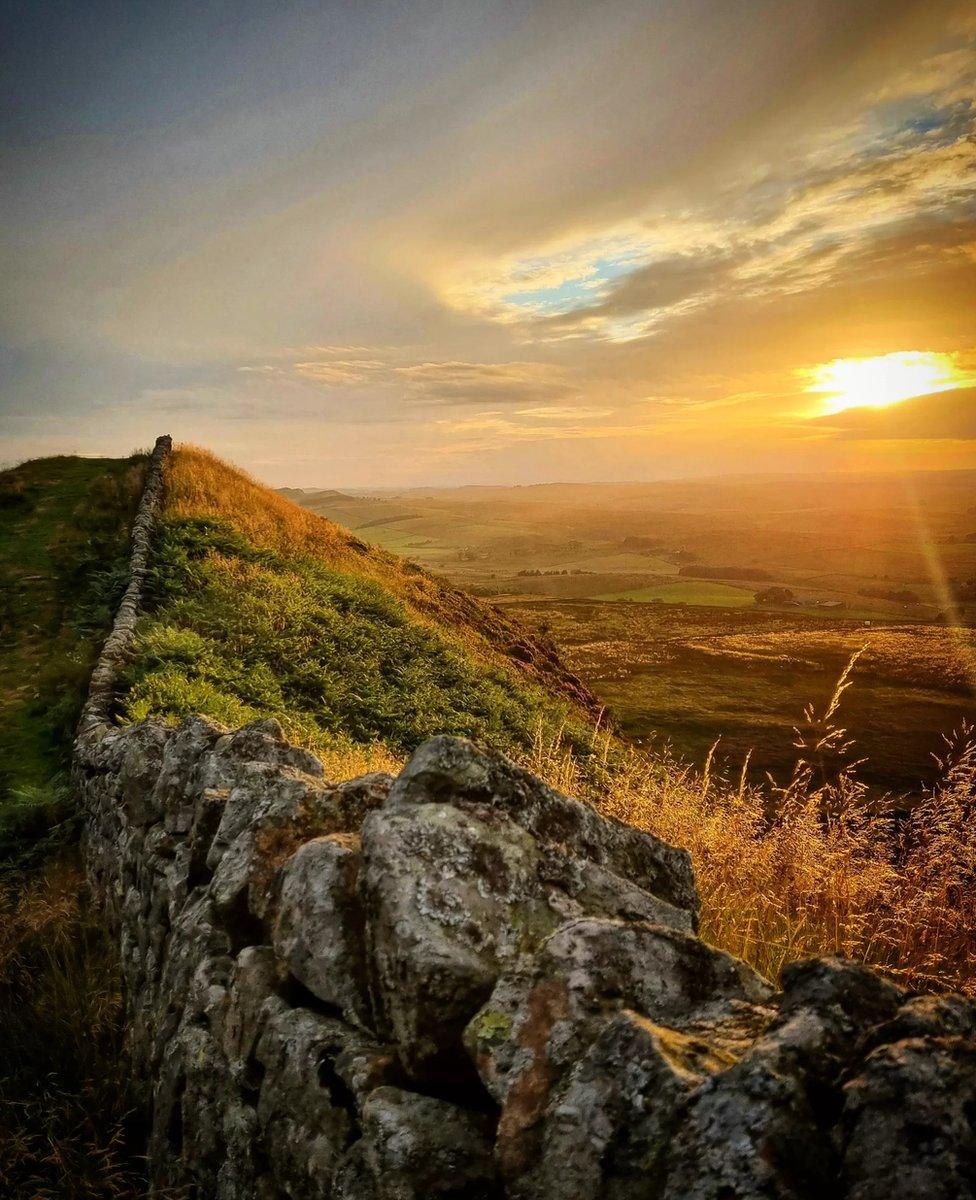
{"x": 260, "y": 608}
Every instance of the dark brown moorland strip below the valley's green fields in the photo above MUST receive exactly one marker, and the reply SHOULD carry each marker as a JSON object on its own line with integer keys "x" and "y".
{"x": 690, "y": 676}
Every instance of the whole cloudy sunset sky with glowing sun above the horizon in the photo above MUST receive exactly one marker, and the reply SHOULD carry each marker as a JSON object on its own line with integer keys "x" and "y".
{"x": 392, "y": 244}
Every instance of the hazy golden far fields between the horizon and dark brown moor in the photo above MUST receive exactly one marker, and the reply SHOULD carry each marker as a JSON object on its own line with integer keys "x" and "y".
{"x": 829, "y": 539}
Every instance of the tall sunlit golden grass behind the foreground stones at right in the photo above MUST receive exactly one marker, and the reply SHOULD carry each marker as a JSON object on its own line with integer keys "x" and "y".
{"x": 812, "y": 868}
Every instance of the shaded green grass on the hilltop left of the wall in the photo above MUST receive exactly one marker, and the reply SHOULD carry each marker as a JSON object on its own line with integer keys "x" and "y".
{"x": 64, "y": 537}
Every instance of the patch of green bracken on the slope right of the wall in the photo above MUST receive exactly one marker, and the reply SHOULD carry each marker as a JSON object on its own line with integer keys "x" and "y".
{"x": 237, "y": 632}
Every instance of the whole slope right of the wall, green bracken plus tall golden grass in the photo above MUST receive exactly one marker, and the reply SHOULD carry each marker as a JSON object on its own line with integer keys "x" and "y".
{"x": 261, "y": 608}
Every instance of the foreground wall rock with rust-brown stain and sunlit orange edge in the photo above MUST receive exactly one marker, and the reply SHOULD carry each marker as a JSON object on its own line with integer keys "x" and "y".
{"x": 598, "y": 1041}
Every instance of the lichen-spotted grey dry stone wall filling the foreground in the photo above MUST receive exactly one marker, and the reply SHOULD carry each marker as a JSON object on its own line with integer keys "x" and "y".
{"x": 459, "y": 983}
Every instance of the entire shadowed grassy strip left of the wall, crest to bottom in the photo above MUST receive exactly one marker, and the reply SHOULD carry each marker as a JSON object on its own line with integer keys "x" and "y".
{"x": 65, "y": 1117}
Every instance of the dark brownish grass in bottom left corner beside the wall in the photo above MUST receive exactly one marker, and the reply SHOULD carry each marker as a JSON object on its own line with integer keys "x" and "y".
{"x": 68, "y": 1126}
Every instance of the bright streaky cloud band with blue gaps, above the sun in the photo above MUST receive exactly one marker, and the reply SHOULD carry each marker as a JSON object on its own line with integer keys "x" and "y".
{"x": 905, "y": 176}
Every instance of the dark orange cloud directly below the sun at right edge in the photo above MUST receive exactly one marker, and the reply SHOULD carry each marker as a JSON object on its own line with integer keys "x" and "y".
{"x": 945, "y": 416}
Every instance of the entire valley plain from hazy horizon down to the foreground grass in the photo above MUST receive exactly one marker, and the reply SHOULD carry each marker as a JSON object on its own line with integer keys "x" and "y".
{"x": 650, "y": 592}
